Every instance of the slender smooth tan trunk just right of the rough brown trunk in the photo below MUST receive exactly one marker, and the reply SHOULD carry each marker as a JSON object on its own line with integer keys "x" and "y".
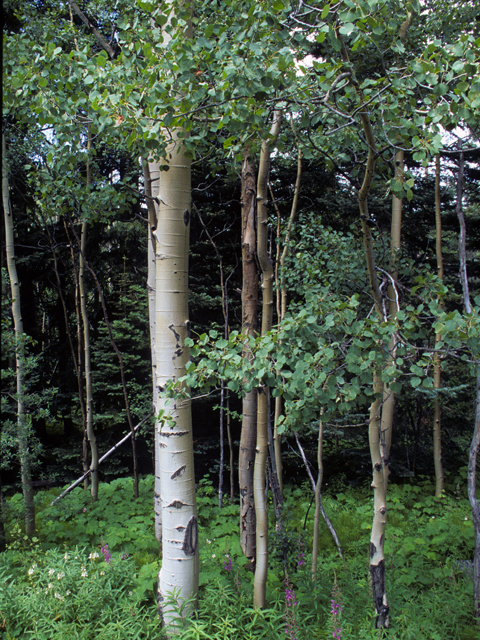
{"x": 263, "y": 401}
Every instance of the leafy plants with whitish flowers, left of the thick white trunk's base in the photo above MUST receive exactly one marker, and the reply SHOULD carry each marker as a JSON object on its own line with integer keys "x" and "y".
{"x": 73, "y": 594}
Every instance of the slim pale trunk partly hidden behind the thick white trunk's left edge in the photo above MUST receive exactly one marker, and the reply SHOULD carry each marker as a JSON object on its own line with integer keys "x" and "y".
{"x": 151, "y": 172}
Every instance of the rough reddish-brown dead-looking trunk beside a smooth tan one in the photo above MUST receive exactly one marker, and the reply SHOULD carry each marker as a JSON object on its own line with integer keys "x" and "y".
{"x": 248, "y": 435}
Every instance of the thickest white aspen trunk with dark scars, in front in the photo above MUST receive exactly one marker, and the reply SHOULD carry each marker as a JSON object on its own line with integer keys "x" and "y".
{"x": 179, "y": 572}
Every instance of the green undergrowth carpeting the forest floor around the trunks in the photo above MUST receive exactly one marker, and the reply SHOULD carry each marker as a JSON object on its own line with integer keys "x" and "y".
{"x": 60, "y": 584}
